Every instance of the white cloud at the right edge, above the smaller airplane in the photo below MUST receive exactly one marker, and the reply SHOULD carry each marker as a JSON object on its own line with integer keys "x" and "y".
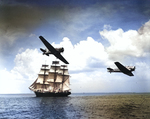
{"x": 129, "y": 43}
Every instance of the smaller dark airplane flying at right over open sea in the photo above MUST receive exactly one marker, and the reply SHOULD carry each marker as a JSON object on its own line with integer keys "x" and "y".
{"x": 124, "y": 69}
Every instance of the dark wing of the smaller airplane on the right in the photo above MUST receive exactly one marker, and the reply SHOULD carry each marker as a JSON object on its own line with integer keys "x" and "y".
{"x": 123, "y": 69}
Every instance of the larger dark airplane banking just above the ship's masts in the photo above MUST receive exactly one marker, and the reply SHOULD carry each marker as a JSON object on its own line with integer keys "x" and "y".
{"x": 51, "y": 50}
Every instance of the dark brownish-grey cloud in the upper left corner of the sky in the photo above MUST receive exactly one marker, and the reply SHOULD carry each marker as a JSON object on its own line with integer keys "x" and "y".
{"x": 19, "y": 19}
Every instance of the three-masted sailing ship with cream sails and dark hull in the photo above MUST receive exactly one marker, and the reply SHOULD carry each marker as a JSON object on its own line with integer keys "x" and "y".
{"x": 52, "y": 82}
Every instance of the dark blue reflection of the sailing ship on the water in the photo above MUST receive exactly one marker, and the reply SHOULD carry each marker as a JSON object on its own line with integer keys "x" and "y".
{"x": 54, "y": 107}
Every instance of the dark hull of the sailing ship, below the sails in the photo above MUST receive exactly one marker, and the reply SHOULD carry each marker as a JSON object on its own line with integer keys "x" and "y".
{"x": 51, "y": 94}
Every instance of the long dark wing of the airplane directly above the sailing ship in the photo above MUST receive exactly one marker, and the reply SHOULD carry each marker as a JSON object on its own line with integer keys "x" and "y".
{"x": 53, "y": 50}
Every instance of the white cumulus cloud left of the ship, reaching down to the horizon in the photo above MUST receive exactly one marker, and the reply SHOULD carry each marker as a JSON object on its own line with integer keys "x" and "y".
{"x": 25, "y": 69}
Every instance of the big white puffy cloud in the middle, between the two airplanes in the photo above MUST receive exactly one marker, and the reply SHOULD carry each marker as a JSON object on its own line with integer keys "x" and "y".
{"x": 84, "y": 55}
